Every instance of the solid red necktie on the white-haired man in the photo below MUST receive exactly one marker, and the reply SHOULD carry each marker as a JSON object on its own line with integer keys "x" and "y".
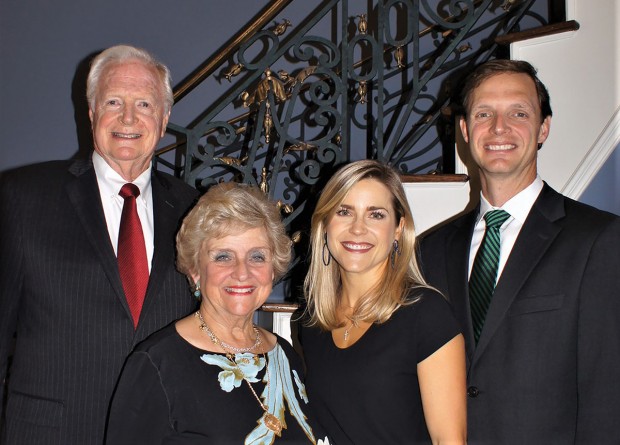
{"x": 131, "y": 252}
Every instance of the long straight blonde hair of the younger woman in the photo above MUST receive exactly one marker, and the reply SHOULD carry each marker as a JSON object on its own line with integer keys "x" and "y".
{"x": 322, "y": 284}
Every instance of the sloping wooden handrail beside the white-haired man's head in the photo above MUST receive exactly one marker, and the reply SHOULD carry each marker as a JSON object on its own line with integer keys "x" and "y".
{"x": 211, "y": 64}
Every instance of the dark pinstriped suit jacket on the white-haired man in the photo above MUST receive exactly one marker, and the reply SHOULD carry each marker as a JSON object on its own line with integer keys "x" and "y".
{"x": 60, "y": 291}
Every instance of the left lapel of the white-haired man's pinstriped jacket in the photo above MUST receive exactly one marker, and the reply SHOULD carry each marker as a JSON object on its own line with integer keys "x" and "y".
{"x": 84, "y": 195}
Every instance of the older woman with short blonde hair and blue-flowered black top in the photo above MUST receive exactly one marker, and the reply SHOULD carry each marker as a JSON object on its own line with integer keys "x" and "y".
{"x": 214, "y": 376}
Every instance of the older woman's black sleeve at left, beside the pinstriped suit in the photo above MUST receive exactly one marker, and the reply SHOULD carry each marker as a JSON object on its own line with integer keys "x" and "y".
{"x": 139, "y": 413}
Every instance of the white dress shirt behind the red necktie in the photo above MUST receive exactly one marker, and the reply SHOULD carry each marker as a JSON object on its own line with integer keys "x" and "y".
{"x": 110, "y": 183}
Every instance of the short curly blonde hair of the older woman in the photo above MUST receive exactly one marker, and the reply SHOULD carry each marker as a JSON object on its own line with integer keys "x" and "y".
{"x": 228, "y": 209}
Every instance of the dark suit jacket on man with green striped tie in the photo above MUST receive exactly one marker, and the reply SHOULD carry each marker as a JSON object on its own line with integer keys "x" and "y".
{"x": 547, "y": 365}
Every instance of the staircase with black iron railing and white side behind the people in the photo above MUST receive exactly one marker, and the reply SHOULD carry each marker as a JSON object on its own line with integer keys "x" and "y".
{"x": 300, "y": 104}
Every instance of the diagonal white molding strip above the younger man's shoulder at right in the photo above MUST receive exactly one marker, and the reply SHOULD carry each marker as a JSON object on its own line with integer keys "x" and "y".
{"x": 598, "y": 154}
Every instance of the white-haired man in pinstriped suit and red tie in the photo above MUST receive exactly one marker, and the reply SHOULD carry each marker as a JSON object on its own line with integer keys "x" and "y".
{"x": 86, "y": 273}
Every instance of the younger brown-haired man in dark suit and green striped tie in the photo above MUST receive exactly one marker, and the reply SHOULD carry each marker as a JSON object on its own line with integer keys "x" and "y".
{"x": 534, "y": 278}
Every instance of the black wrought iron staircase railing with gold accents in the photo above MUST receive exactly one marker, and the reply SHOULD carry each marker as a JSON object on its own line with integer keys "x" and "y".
{"x": 306, "y": 97}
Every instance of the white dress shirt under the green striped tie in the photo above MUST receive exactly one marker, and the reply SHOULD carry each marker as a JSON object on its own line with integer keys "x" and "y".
{"x": 519, "y": 207}
